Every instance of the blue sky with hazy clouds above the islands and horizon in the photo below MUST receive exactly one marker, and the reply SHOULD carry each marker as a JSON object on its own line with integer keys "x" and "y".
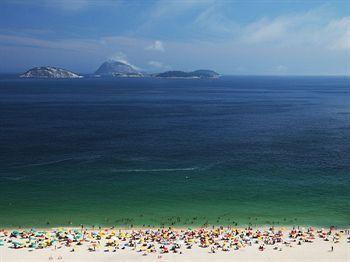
{"x": 230, "y": 37}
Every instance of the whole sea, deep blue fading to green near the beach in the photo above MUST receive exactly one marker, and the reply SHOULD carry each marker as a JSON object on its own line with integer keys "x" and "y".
{"x": 235, "y": 150}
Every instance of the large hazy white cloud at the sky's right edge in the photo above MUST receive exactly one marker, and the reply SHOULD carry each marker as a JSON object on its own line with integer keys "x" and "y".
{"x": 311, "y": 29}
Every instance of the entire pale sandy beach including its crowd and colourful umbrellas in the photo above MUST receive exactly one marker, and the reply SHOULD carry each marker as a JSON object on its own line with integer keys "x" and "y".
{"x": 206, "y": 244}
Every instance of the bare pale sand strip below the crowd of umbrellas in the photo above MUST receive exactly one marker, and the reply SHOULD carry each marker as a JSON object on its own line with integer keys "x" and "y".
{"x": 317, "y": 251}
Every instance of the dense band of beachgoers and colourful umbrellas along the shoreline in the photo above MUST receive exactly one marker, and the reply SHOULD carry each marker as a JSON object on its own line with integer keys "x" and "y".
{"x": 166, "y": 240}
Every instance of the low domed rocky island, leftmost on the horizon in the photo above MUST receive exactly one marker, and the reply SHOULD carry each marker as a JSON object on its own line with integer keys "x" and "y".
{"x": 49, "y": 72}
